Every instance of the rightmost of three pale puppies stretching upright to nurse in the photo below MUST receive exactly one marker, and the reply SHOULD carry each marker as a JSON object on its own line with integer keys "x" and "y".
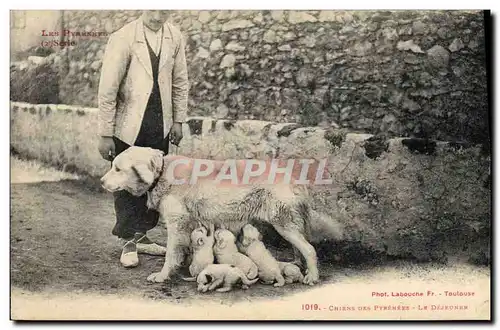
{"x": 252, "y": 246}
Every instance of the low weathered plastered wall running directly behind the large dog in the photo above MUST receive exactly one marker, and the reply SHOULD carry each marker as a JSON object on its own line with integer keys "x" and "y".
{"x": 404, "y": 197}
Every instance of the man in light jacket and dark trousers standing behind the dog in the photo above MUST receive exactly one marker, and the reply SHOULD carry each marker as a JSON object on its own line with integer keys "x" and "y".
{"x": 143, "y": 93}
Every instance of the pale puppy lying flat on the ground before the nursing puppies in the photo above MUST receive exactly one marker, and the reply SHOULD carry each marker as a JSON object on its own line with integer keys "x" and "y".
{"x": 222, "y": 277}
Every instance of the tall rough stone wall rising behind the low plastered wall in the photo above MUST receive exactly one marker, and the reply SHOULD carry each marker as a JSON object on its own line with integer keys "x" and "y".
{"x": 404, "y": 73}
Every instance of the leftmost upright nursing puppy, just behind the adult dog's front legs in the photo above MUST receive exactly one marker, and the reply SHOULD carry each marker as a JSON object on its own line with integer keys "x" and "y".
{"x": 202, "y": 243}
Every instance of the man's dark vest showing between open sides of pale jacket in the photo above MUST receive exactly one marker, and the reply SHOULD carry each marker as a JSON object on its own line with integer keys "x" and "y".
{"x": 151, "y": 132}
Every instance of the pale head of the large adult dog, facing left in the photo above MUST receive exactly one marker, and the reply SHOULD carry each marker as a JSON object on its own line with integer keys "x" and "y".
{"x": 134, "y": 170}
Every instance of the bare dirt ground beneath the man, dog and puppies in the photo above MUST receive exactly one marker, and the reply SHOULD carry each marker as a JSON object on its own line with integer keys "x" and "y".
{"x": 61, "y": 243}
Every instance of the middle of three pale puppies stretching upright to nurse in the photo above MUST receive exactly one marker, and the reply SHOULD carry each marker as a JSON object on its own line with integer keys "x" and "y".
{"x": 226, "y": 252}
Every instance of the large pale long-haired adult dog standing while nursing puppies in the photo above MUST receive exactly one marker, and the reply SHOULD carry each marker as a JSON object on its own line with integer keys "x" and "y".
{"x": 224, "y": 203}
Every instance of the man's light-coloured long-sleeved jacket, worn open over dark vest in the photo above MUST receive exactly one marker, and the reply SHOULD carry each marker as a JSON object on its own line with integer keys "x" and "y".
{"x": 127, "y": 81}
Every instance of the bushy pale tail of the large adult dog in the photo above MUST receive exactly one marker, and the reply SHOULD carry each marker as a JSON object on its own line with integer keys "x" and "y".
{"x": 324, "y": 227}
